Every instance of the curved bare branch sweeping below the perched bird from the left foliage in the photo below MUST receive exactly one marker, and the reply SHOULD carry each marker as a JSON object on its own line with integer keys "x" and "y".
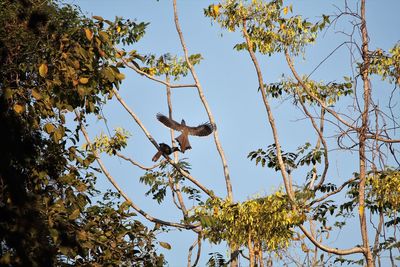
{"x": 121, "y": 192}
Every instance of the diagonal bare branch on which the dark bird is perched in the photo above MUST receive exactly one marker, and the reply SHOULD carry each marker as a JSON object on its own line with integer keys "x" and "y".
{"x": 148, "y": 135}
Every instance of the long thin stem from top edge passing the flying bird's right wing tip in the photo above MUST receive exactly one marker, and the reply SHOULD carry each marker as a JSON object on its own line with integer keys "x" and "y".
{"x": 205, "y": 104}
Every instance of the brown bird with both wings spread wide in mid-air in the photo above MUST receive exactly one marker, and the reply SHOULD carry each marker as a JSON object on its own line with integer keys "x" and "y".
{"x": 201, "y": 130}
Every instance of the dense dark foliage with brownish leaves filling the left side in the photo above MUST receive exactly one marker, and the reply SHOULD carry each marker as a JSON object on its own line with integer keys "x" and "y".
{"x": 54, "y": 61}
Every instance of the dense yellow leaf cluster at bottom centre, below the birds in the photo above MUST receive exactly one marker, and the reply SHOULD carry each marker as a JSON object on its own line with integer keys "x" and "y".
{"x": 268, "y": 221}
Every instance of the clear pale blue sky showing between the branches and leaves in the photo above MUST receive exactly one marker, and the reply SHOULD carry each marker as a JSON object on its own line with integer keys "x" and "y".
{"x": 230, "y": 86}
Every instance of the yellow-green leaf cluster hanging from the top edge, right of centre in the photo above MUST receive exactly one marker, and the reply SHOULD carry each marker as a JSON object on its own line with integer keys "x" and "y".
{"x": 267, "y": 23}
